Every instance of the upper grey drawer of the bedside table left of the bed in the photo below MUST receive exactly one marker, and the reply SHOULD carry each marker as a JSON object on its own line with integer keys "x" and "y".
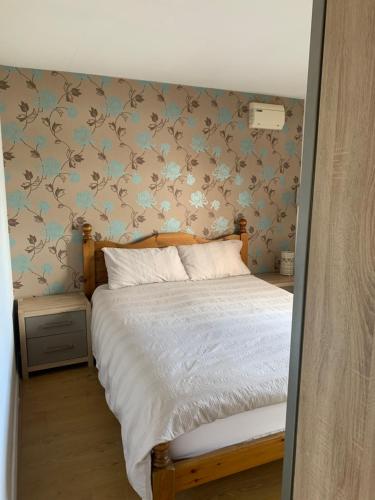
{"x": 55, "y": 324}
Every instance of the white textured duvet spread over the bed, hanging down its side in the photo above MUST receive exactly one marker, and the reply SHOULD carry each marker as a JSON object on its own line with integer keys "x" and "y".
{"x": 174, "y": 356}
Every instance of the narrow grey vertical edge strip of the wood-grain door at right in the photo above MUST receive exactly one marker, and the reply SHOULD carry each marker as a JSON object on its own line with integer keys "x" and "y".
{"x": 310, "y": 132}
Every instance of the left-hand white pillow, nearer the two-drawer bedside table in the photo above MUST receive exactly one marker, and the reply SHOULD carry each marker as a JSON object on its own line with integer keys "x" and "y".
{"x": 127, "y": 267}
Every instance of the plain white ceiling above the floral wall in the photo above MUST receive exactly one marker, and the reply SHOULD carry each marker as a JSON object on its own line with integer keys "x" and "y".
{"x": 247, "y": 45}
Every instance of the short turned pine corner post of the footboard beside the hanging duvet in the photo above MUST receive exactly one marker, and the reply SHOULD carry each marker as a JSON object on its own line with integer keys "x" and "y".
{"x": 163, "y": 473}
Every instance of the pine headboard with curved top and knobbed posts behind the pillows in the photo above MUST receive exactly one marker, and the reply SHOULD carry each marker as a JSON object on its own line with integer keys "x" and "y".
{"x": 95, "y": 272}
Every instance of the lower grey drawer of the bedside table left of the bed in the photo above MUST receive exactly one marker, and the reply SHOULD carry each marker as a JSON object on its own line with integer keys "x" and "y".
{"x": 44, "y": 350}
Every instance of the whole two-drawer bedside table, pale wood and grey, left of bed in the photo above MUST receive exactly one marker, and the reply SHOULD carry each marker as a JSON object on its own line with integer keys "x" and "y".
{"x": 54, "y": 331}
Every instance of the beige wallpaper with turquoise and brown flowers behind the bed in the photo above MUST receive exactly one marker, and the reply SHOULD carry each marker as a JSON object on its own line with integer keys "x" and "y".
{"x": 133, "y": 158}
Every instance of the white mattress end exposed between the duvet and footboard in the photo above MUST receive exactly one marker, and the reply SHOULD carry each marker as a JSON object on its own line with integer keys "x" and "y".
{"x": 245, "y": 426}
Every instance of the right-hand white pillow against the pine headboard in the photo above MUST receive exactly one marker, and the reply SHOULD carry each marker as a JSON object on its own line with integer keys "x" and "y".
{"x": 217, "y": 259}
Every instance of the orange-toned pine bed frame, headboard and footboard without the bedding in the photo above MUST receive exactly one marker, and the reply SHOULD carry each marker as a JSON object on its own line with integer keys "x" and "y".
{"x": 170, "y": 476}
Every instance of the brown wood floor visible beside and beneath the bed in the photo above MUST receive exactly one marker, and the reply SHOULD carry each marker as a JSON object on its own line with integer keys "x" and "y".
{"x": 71, "y": 447}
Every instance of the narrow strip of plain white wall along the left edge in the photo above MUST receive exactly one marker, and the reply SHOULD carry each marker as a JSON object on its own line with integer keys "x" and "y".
{"x": 8, "y": 376}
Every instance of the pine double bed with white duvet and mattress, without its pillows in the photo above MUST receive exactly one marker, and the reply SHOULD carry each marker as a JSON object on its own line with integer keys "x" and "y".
{"x": 190, "y": 340}
